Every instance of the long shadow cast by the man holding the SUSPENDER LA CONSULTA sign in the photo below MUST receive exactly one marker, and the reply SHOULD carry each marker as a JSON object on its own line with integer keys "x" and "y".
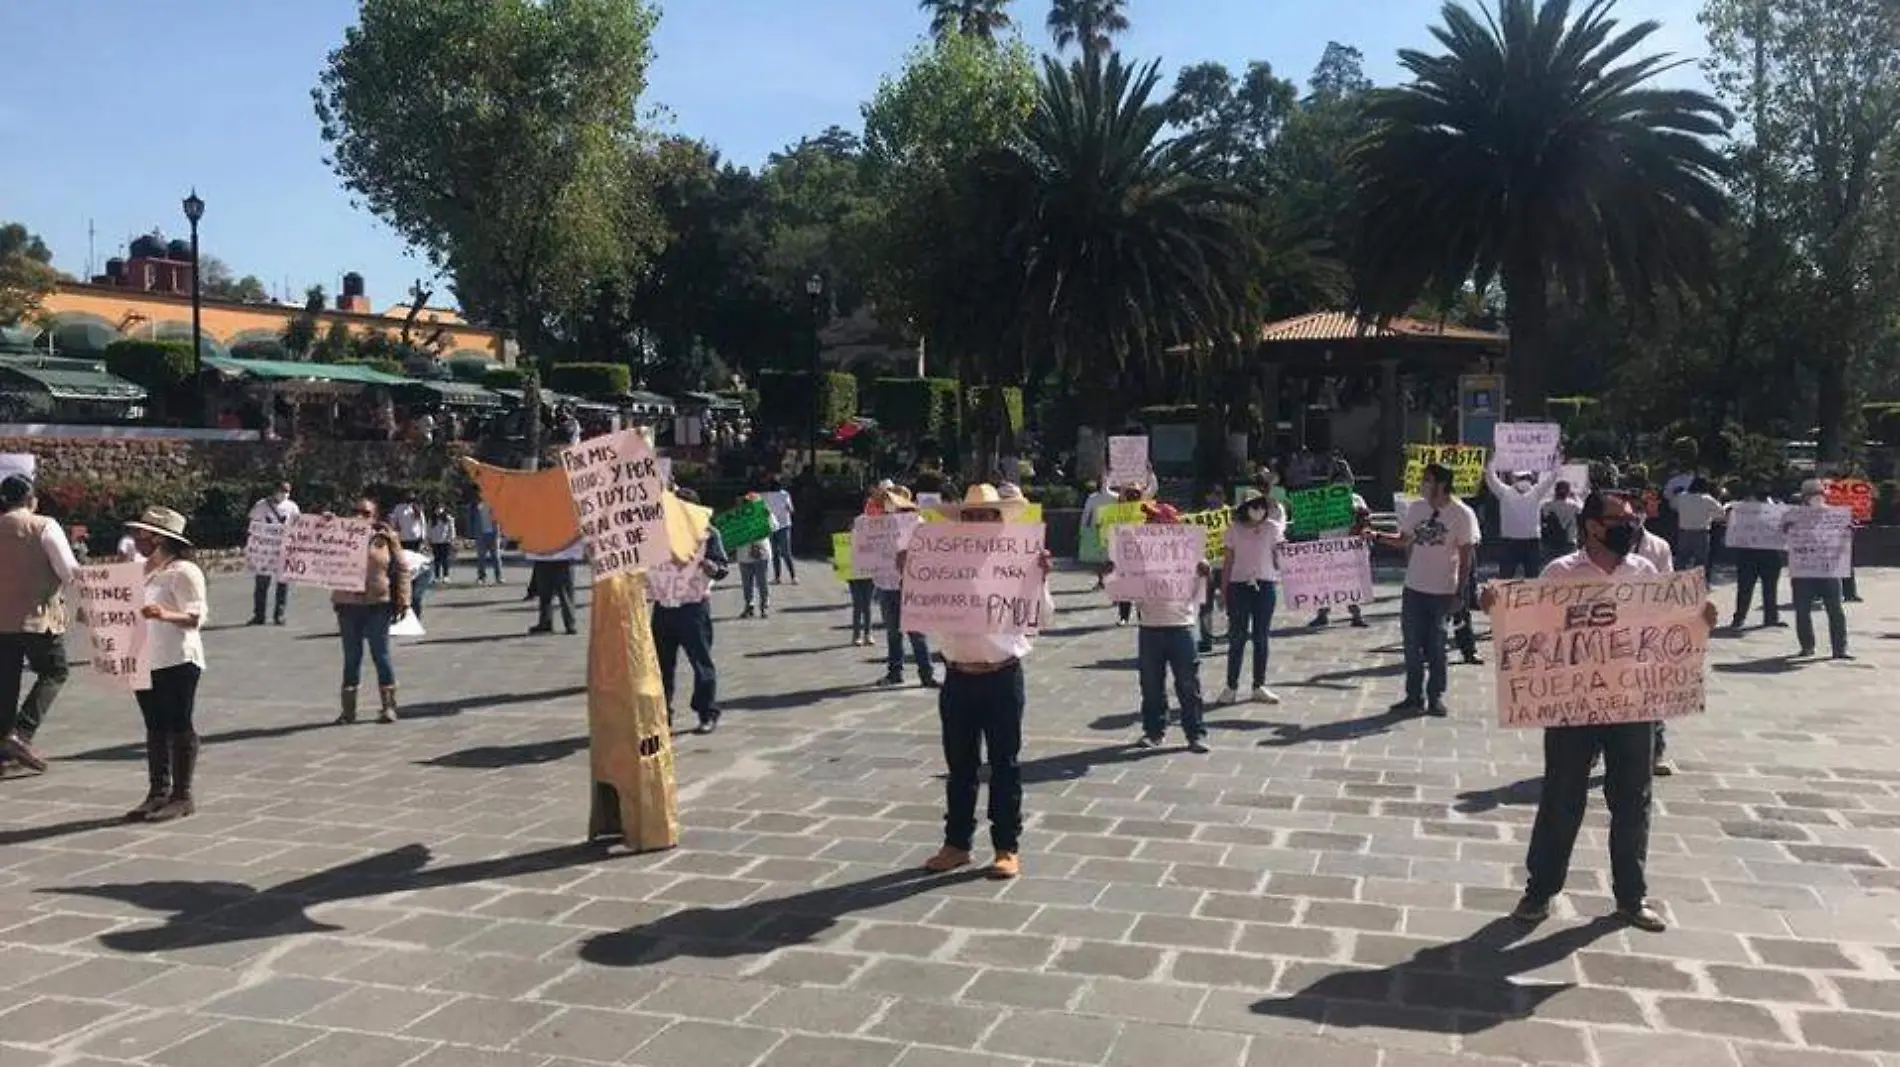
{"x": 759, "y": 927}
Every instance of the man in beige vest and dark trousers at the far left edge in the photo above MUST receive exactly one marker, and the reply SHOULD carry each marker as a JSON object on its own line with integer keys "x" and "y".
{"x": 35, "y": 569}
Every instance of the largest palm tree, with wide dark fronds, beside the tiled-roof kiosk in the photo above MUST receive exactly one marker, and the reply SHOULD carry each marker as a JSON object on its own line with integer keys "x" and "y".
{"x": 1534, "y": 151}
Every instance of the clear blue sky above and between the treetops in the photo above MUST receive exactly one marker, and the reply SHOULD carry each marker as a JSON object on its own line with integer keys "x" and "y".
{"x": 111, "y": 111}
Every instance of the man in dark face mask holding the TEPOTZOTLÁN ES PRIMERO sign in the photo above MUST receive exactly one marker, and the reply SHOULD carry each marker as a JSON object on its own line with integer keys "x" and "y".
{"x": 1610, "y": 538}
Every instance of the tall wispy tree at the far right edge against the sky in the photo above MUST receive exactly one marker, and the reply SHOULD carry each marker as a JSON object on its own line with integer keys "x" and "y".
{"x": 1819, "y": 83}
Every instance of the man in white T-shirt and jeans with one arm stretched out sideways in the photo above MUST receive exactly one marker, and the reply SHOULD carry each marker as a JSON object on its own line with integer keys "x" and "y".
{"x": 1441, "y": 534}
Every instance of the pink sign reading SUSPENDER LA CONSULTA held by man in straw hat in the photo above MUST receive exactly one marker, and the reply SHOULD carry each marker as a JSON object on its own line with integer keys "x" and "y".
{"x": 974, "y": 578}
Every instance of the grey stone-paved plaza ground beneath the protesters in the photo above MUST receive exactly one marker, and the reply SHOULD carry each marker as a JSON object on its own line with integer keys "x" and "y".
{"x": 1323, "y": 889}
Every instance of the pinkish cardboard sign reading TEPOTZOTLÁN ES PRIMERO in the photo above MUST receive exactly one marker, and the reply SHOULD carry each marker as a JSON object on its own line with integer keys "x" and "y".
{"x": 1601, "y": 652}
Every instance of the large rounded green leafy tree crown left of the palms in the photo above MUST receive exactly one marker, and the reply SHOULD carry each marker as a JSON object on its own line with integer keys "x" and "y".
{"x": 497, "y": 138}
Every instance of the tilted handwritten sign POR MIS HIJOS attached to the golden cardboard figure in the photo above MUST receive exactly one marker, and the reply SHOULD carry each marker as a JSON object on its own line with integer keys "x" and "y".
{"x": 618, "y": 502}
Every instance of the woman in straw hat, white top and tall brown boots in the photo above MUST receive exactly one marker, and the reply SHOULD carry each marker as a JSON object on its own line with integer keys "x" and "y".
{"x": 176, "y": 648}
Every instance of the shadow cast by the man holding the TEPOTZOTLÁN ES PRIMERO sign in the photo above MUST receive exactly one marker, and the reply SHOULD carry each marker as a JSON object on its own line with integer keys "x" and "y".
{"x": 1454, "y": 988}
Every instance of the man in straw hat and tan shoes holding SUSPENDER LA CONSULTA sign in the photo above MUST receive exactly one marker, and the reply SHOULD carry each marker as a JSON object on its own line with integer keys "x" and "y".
{"x": 981, "y": 713}
